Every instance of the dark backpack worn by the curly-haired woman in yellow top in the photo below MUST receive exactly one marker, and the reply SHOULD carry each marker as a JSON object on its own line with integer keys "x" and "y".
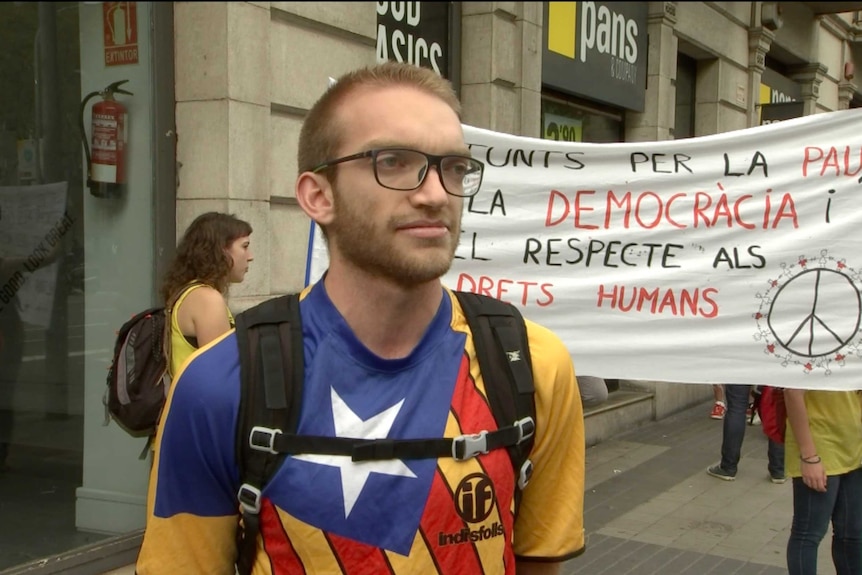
{"x": 138, "y": 377}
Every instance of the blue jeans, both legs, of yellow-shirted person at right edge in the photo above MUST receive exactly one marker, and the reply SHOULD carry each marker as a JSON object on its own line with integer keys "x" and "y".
{"x": 812, "y": 511}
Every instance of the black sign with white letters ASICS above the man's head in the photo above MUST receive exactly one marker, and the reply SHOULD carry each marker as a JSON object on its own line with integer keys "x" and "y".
{"x": 414, "y": 32}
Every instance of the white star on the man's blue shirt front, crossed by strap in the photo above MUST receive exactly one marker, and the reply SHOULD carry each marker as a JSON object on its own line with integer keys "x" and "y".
{"x": 354, "y": 474}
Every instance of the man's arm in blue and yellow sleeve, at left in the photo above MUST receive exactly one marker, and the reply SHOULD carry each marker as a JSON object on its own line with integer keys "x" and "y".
{"x": 192, "y": 507}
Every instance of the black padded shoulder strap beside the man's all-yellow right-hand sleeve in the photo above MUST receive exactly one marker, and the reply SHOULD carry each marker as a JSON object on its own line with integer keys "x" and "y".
{"x": 503, "y": 351}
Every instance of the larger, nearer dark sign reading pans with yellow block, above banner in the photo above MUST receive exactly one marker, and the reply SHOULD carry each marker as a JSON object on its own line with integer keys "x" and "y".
{"x": 597, "y": 50}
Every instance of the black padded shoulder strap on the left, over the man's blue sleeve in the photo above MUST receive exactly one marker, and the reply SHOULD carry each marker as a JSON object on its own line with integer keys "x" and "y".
{"x": 269, "y": 337}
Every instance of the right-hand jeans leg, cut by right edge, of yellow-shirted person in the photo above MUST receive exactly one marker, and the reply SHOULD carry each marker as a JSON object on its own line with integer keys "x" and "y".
{"x": 847, "y": 525}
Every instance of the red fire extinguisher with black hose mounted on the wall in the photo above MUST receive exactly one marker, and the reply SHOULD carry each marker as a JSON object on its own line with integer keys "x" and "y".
{"x": 106, "y": 169}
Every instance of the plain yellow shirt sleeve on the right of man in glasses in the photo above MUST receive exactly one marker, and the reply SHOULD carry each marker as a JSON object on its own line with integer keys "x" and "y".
{"x": 550, "y": 523}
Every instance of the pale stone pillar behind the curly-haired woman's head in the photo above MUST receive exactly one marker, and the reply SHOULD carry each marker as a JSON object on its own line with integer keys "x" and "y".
{"x": 223, "y": 78}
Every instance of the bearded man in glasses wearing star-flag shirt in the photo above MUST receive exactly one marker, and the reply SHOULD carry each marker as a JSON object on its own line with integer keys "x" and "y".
{"x": 384, "y": 170}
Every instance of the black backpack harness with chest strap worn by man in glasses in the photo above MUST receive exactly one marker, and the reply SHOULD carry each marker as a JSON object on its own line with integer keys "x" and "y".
{"x": 269, "y": 337}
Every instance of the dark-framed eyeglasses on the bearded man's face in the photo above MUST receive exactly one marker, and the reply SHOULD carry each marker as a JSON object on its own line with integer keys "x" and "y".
{"x": 405, "y": 170}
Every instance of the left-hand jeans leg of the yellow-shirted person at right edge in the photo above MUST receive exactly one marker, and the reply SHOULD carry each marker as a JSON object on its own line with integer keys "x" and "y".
{"x": 812, "y": 511}
